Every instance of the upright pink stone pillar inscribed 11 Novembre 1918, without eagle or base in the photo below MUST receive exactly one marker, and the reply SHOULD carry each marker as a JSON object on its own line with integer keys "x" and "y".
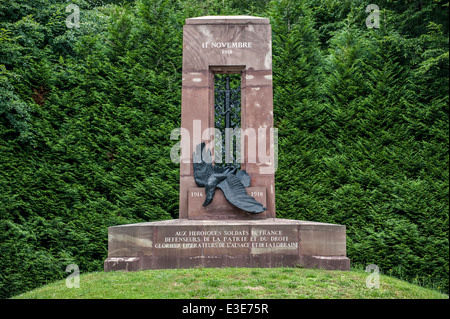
{"x": 228, "y": 44}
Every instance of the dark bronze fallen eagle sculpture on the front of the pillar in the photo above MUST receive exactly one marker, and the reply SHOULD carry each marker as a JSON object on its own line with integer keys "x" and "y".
{"x": 231, "y": 181}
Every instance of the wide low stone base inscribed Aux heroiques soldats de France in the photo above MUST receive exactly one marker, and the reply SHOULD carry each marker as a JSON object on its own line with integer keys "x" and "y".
{"x": 184, "y": 243}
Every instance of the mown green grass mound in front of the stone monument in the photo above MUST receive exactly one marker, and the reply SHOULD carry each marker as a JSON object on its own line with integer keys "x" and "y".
{"x": 232, "y": 283}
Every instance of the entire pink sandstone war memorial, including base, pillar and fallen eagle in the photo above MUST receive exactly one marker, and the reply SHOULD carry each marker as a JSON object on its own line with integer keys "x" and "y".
{"x": 227, "y": 165}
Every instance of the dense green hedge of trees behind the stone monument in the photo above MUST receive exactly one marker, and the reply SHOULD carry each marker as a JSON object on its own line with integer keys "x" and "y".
{"x": 86, "y": 115}
